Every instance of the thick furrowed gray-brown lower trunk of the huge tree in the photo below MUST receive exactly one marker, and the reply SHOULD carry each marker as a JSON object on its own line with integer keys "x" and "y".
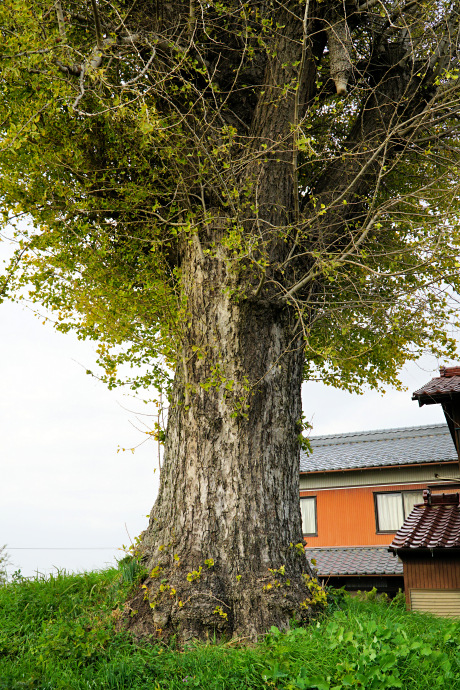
{"x": 227, "y": 515}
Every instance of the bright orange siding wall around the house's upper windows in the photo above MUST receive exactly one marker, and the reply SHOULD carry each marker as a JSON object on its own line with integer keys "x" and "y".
{"x": 346, "y": 517}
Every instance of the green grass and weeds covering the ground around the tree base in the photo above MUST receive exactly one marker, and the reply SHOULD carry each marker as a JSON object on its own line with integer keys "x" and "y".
{"x": 60, "y": 633}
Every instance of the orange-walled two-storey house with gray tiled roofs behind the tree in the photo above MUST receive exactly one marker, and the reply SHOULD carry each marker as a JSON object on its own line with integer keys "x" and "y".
{"x": 356, "y": 490}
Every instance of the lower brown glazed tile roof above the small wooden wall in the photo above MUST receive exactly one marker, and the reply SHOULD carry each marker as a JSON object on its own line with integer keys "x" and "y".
{"x": 431, "y": 525}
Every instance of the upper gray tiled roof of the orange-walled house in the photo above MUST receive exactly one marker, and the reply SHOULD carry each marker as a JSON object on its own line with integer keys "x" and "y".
{"x": 407, "y": 446}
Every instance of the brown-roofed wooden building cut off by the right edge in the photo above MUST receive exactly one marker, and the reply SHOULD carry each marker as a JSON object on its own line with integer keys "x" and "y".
{"x": 428, "y": 543}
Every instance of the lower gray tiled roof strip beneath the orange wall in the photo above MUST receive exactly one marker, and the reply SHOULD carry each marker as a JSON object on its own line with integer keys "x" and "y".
{"x": 372, "y": 560}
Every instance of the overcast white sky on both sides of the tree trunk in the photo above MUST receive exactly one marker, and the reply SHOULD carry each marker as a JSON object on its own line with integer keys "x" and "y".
{"x": 65, "y": 493}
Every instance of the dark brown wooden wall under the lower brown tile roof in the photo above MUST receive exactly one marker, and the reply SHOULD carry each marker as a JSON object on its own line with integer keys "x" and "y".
{"x": 432, "y": 573}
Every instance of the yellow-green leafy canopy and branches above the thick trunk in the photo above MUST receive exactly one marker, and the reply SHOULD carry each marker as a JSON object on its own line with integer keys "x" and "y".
{"x": 127, "y": 128}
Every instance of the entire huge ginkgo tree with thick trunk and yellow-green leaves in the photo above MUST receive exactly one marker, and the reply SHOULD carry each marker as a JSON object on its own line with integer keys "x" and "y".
{"x": 246, "y": 194}
